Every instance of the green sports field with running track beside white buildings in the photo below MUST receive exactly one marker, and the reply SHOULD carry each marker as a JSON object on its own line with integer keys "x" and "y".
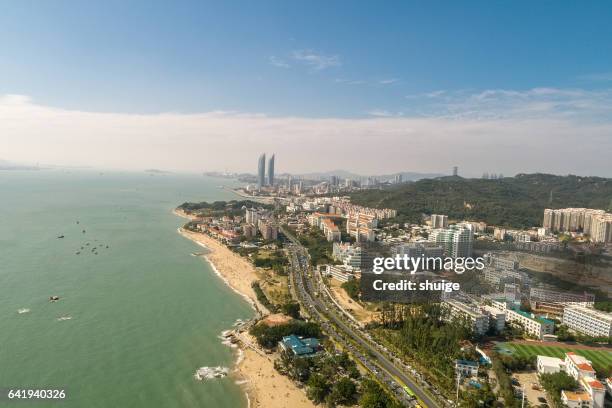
{"x": 601, "y": 359}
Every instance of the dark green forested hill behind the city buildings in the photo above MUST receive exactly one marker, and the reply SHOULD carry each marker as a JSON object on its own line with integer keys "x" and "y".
{"x": 512, "y": 201}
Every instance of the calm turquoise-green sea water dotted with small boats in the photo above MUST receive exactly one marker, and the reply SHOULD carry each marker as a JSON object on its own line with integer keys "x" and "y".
{"x": 145, "y": 313}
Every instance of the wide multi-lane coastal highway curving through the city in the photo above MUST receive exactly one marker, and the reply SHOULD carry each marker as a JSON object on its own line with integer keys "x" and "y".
{"x": 383, "y": 368}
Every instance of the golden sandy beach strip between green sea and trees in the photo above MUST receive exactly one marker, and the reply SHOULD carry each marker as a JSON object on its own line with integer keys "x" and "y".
{"x": 254, "y": 369}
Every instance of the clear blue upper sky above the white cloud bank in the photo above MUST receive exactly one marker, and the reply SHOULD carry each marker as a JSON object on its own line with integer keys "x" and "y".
{"x": 288, "y": 58}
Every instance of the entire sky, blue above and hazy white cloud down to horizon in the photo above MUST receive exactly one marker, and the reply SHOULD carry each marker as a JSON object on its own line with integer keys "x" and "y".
{"x": 369, "y": 87}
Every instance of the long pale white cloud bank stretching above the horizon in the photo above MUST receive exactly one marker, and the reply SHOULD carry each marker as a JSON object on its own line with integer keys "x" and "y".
{"x": 472, "y": 139}
